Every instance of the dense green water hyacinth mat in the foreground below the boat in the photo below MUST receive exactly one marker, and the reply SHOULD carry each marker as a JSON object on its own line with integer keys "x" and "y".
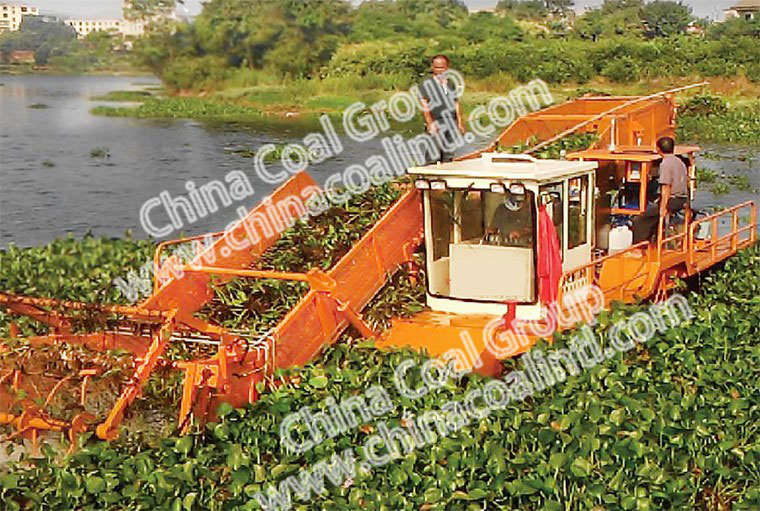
{"x": 669, "y": 425}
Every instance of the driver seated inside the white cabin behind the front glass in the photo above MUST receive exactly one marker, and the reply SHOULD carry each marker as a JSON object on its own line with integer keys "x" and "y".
{"x": 512, "y": 223}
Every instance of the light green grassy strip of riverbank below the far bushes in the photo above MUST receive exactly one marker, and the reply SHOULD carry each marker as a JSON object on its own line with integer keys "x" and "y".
{"x": 302, "y": 101}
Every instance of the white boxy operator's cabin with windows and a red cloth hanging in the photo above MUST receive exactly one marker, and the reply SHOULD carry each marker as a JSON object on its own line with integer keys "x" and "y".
{"x": 482, "y": 228}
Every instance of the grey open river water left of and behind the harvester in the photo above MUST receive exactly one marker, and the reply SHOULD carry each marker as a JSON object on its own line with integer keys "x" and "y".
{"x": 54, "y": 178}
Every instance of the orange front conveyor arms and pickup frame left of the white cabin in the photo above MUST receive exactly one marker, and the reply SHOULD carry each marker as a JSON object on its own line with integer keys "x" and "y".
{"x": 232, "y": 374}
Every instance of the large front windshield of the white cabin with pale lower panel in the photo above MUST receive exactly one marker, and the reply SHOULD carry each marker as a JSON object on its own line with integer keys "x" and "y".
{"x": 481, "y": 245}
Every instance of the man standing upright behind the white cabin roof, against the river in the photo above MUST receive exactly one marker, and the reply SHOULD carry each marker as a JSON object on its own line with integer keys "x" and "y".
{"x": 442, "y": 111}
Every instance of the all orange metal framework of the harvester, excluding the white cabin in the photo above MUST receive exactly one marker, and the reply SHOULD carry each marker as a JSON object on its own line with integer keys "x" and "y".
{"x": 336, "y": 297}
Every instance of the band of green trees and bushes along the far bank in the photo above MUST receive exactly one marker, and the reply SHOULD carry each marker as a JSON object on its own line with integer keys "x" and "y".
{"x": 242, "y": 43}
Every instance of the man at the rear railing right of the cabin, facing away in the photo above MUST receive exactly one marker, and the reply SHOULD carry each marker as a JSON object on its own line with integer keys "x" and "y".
{"x": 674, "y": 192}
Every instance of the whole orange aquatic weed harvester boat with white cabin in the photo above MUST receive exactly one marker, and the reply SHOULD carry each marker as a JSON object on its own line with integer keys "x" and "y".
{"x": 557, "y": 237}
